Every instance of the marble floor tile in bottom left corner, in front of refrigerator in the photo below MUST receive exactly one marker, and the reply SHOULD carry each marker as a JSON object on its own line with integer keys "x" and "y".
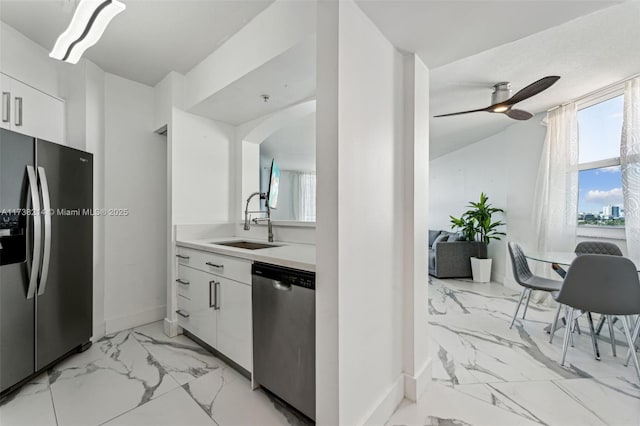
{"x": 31, "y": 405}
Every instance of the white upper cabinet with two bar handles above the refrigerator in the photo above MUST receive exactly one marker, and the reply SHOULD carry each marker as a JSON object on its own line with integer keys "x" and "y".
{"x": 31, "y": 112}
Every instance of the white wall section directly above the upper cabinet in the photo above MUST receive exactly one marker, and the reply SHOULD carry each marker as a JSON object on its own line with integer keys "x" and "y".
{"x": 27, "y": 61}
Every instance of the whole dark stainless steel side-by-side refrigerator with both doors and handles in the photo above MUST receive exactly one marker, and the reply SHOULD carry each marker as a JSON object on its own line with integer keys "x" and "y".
{"x": 46, "y": 255}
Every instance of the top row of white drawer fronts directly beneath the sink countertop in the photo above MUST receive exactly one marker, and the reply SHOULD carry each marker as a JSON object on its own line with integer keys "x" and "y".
{"x": 225, "y": 266}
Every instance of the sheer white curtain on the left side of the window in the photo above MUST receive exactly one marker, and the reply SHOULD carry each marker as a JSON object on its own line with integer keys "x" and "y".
{"x": 556, "y": 200}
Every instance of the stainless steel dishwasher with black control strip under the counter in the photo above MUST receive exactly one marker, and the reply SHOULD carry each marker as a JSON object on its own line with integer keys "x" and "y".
{"x": 284, "y": 334}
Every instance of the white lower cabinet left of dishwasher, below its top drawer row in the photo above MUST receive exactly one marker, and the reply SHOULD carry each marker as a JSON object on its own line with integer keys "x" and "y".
{"x": 216, "y": 310}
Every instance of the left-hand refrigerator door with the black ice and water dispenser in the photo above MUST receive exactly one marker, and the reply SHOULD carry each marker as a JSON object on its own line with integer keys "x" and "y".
{"x": 17, "y": 338}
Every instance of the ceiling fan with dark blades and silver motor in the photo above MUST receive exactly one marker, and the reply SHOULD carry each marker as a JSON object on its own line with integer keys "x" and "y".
{"x": 502, "y": 101}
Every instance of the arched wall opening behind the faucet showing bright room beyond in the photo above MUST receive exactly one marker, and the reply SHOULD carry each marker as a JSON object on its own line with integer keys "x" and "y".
{"x": 294, "y": 149}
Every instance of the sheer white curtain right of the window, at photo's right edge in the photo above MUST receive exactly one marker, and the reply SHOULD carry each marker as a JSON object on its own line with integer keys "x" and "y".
{"x": 630, "y": 164}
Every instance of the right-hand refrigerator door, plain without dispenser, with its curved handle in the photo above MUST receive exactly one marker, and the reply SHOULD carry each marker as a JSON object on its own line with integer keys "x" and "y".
{"x": 64, "y": 301}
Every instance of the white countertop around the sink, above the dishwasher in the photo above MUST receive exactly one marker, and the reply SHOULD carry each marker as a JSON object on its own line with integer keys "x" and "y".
{"x": 290, "y": 255}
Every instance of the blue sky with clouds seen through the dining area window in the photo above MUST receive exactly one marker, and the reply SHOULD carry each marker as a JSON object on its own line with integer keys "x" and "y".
{"x": 600, "y": 128}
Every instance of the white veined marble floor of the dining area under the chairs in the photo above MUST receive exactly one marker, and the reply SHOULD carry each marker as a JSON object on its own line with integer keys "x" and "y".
{"x": 517, "y": 372}
